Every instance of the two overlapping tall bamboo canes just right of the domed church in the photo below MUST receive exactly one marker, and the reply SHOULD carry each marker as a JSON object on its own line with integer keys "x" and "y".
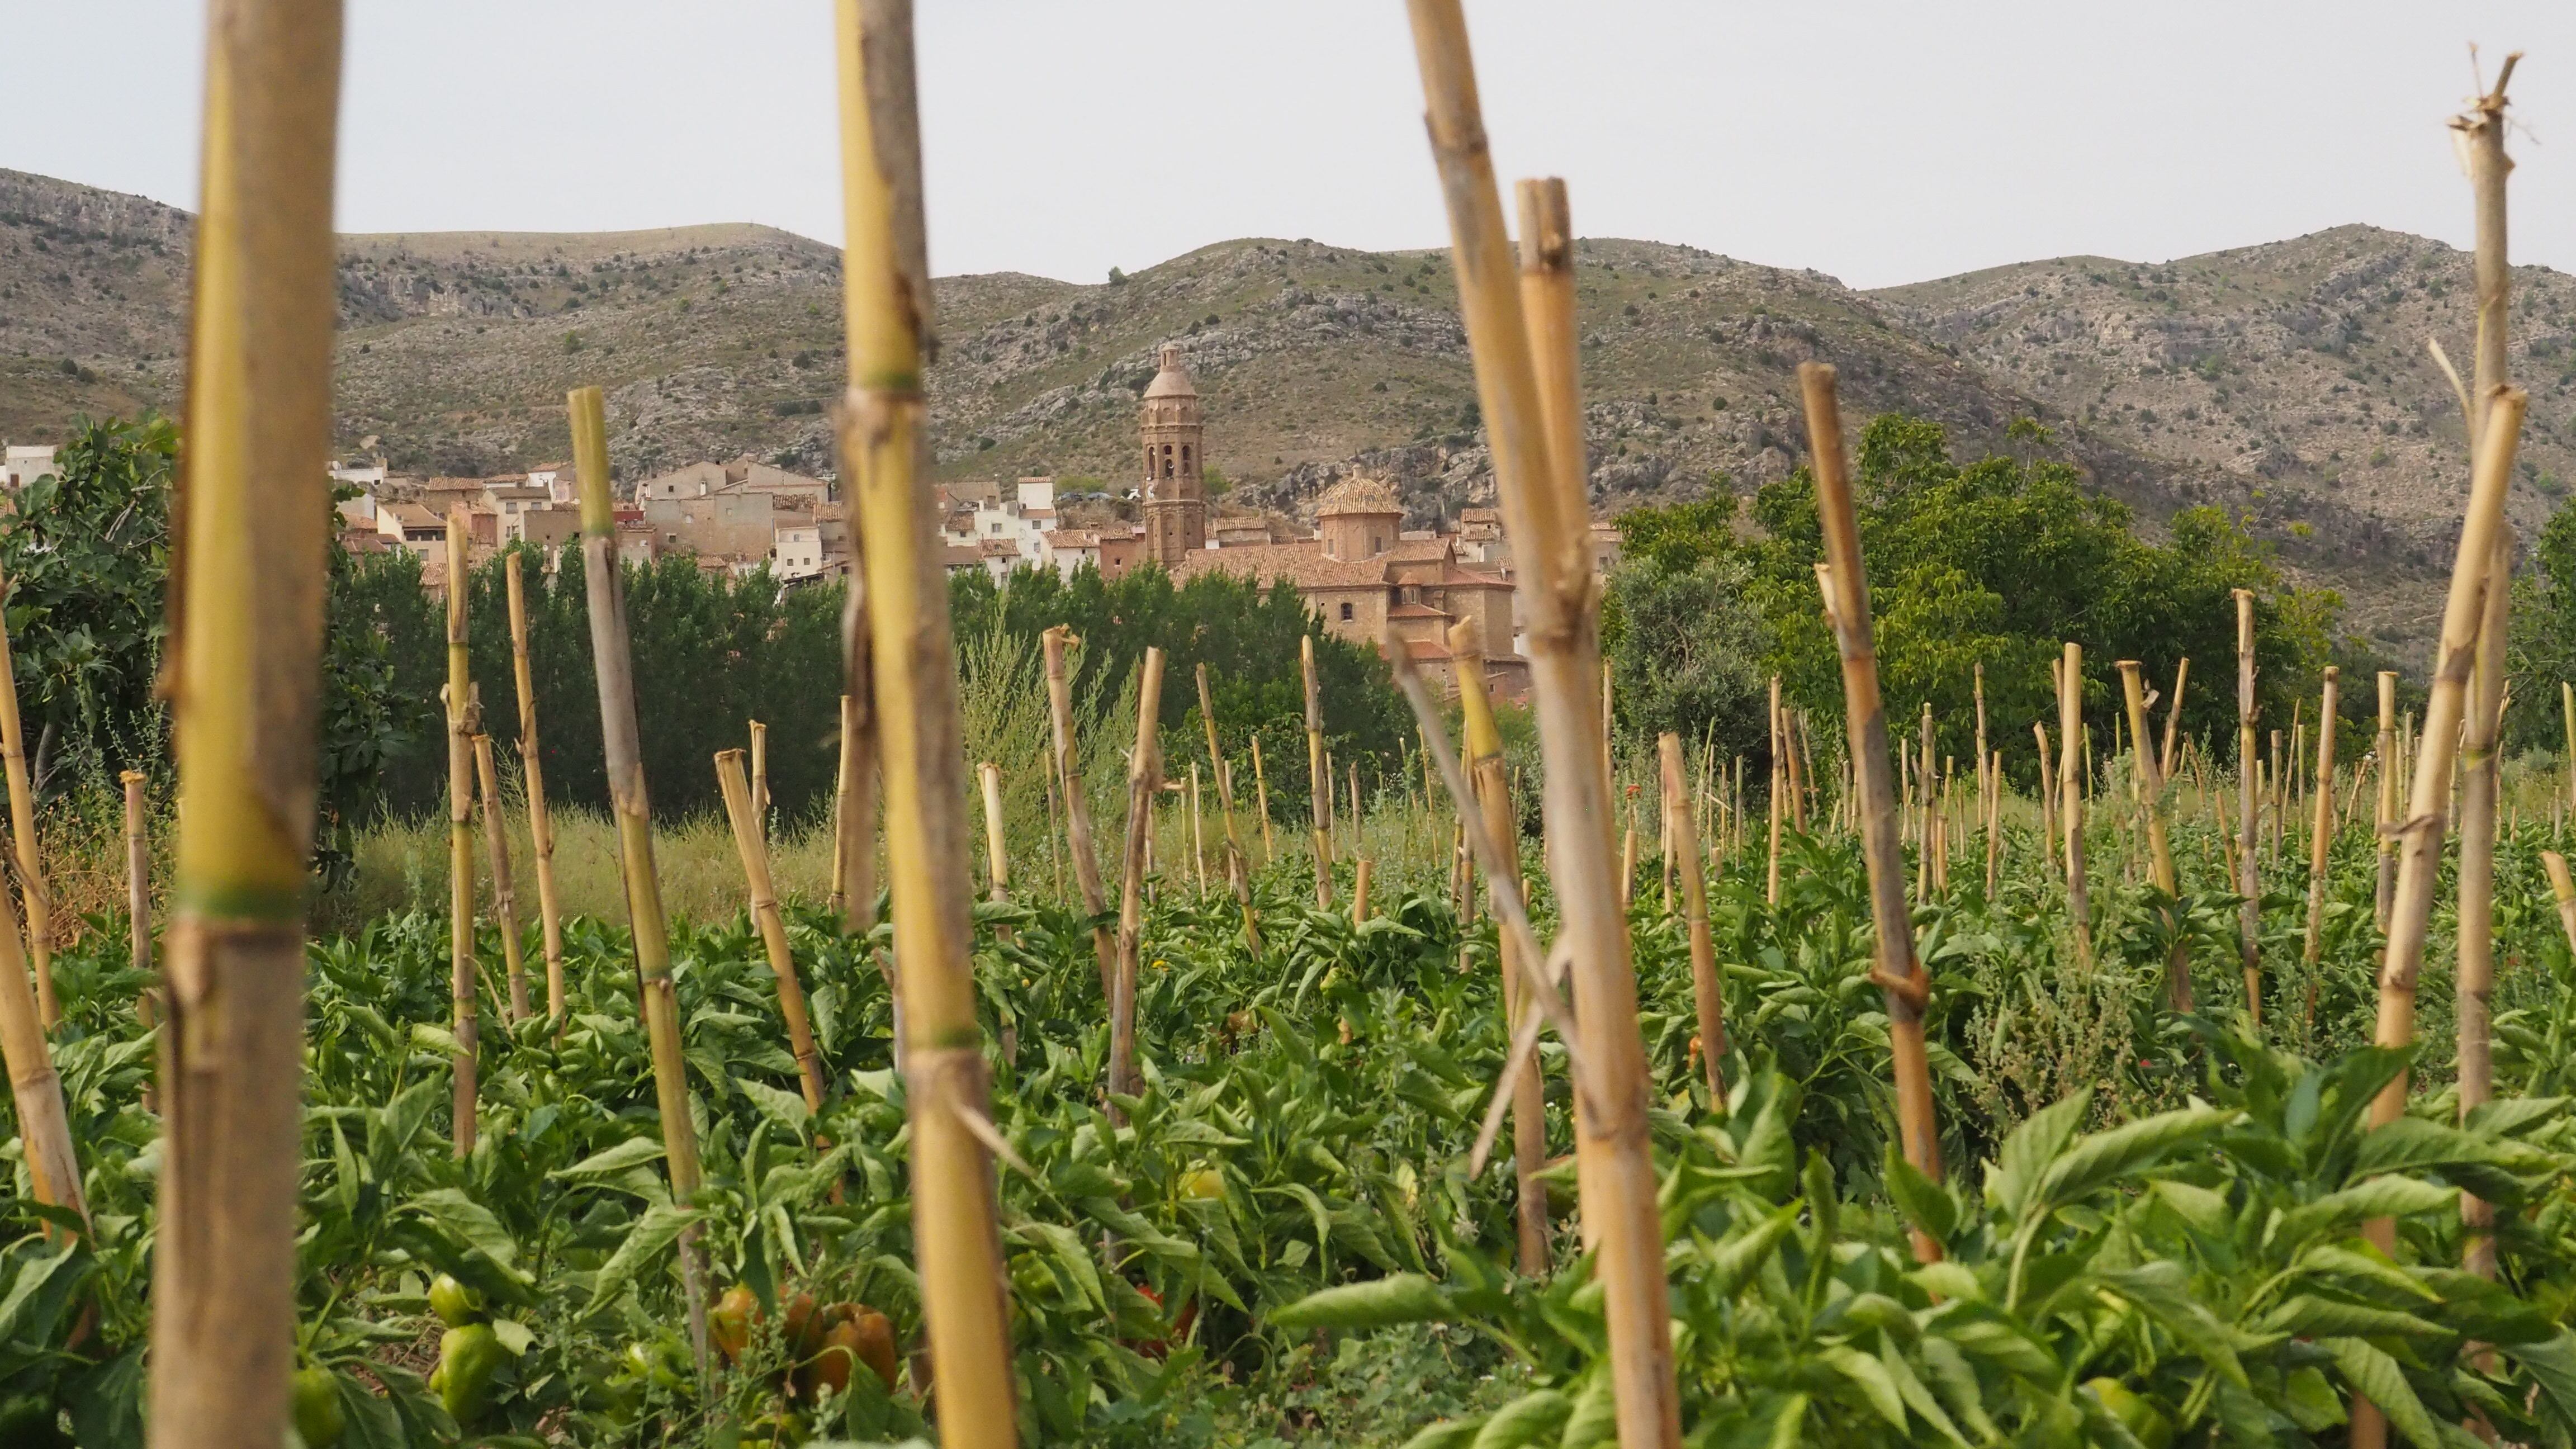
{"x": 1534, "y": 419}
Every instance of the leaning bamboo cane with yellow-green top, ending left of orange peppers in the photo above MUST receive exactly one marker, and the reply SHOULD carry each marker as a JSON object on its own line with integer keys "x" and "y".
{"x": 630, "y": 806}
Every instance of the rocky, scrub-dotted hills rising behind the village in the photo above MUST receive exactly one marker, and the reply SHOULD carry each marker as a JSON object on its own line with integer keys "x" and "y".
{"x": 2284, "y": 380}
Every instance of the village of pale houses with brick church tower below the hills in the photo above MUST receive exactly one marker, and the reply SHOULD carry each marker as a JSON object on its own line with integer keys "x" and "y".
{"x": 1359, "y": 566}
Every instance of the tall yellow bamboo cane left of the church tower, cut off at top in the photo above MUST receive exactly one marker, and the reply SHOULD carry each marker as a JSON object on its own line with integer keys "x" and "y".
{"x": 890, "y": 300}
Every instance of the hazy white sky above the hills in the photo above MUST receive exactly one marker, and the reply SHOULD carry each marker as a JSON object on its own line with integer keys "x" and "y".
{"x": 1874, "y": 141}
